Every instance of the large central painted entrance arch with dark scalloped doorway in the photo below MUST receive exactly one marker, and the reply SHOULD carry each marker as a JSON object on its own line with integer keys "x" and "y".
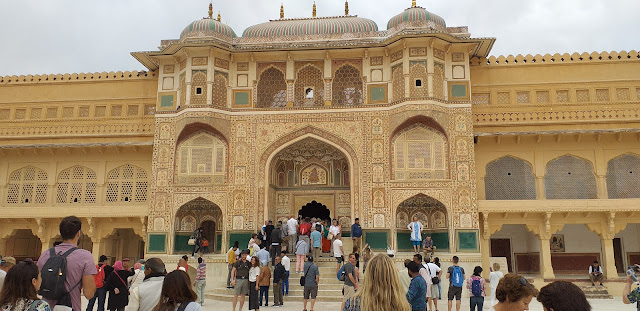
{"x": 310, "y": 177}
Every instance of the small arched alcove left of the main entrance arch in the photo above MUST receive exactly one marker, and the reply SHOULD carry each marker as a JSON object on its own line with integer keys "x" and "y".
{"x": 194, "y": 214}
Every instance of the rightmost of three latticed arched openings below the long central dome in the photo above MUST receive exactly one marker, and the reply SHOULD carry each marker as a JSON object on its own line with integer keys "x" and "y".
{"x": 347, "y": 86}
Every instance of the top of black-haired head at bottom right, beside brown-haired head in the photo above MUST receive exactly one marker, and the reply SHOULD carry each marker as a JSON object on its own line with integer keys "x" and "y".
{"x": 563, "y": 296}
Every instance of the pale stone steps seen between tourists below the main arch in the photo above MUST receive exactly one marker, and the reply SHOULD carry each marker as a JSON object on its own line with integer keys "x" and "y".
{"x": 329, "y": 288}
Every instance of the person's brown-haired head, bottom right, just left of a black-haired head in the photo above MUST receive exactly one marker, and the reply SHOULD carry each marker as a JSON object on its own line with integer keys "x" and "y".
{"x": 514, "y": 293}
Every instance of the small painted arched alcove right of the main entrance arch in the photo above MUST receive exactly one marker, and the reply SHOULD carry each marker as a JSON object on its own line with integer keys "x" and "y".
{"x": 433, "y": 216}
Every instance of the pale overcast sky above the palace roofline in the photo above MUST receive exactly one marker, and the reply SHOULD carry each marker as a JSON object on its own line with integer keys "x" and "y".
{"x": 67, "y": 36}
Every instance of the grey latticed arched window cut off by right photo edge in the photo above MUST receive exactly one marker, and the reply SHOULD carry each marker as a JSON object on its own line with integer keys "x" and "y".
{"x": 623, "y": 177}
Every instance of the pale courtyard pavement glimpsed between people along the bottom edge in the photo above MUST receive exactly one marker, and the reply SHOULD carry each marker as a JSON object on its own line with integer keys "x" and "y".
{"x": 596, "y": 304}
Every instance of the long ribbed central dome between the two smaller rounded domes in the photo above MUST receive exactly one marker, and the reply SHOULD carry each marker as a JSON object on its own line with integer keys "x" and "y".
{"x": 312, "y": 26}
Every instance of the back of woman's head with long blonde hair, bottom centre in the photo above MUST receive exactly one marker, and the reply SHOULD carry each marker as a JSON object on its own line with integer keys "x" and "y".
{"x": 381, "y": 289}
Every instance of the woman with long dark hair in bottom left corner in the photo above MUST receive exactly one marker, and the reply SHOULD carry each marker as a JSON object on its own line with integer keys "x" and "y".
{"x": 20, "y": 290}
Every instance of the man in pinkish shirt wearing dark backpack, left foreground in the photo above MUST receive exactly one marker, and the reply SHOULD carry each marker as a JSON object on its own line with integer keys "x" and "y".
{"x": 67, "y": 270}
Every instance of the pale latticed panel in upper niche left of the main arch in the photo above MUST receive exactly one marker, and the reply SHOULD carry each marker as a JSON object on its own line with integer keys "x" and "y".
{"x": 202, "y": 159}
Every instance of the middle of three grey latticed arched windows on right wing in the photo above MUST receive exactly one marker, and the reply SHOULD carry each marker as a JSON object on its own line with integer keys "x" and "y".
{"x": 569, "y": 177}
